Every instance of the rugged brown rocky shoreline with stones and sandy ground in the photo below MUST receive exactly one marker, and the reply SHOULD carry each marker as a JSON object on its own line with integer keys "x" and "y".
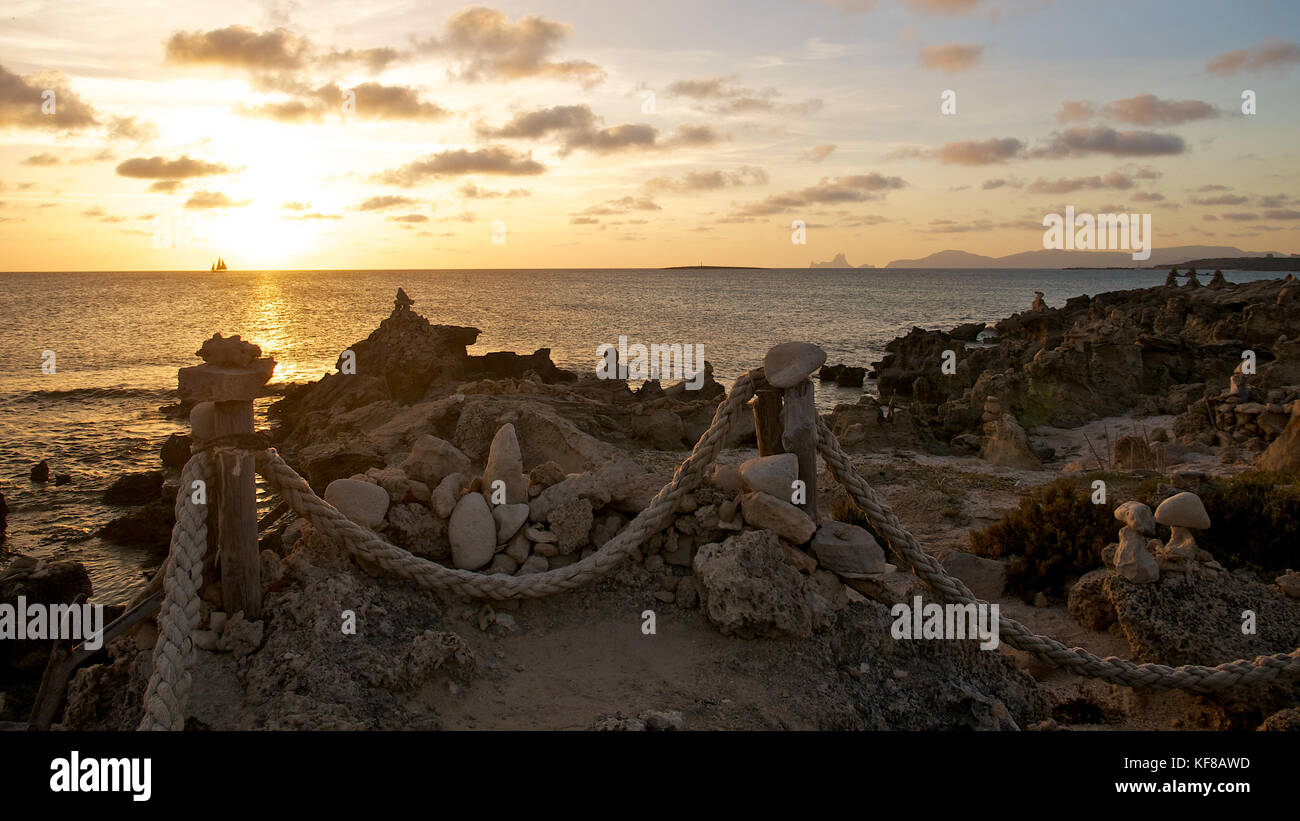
{"x": 508, "y": 464}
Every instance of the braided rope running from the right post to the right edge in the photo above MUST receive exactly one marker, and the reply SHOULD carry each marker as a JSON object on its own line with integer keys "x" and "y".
{"x": 1191, "y": 677}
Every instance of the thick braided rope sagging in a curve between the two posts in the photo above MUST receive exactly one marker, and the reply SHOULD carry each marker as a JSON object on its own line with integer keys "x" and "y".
{"x": 323, "y": 516}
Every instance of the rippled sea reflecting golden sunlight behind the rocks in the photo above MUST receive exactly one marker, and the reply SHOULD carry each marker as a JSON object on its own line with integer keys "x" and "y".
{"x": 89, "y": 358}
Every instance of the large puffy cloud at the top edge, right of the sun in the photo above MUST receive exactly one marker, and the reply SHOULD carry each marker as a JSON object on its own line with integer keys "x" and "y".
{"x": 491, "y": 47}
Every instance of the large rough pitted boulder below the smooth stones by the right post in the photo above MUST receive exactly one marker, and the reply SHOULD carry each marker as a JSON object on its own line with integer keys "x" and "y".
{"x": 748, "y": 589}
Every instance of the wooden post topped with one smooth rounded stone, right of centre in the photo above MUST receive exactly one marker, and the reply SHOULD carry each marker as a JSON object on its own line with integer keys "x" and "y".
{"x": 788, "y": 367}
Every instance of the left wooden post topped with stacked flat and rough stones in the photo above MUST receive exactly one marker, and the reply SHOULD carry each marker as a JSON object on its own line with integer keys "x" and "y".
{"x": 233, "y": 375}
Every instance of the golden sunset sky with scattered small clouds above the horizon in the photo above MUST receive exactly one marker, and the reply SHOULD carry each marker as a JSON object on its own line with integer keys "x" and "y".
{"x": 300, "y": 134}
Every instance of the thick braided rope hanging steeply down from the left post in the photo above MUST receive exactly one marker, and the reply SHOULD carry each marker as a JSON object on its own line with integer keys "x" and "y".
{"x": 170, "y": 684}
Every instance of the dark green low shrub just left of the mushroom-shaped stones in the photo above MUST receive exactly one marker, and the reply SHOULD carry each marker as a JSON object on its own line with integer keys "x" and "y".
{"x": 1055, "y": 536}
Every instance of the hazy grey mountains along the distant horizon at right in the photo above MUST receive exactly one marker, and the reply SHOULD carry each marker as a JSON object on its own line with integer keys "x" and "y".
{"x": 1071, "y": 259}
